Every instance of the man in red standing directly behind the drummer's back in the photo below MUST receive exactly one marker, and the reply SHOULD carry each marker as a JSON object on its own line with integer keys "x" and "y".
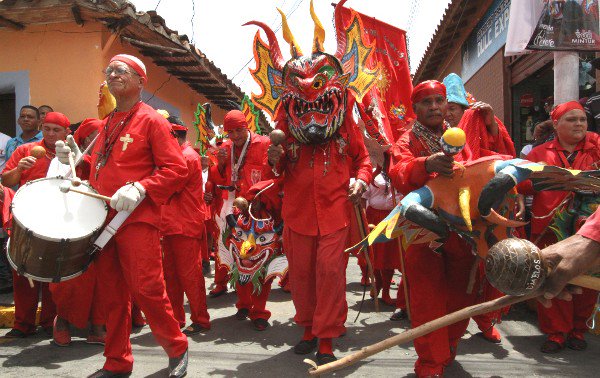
{"x": 183, "y": 232}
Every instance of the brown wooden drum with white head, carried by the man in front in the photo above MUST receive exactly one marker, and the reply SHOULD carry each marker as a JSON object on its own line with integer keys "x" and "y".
{"x": 53, "y": 232}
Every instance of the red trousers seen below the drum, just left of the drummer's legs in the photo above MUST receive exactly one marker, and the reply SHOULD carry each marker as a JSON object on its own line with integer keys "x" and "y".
{"x": 76, "y": 299}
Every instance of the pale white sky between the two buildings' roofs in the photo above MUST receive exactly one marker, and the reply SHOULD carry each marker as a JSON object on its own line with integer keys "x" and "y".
{"x": 215, "y": 26}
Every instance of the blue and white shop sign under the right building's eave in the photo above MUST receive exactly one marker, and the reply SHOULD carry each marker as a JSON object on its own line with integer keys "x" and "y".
{"x": 486, "y": 39}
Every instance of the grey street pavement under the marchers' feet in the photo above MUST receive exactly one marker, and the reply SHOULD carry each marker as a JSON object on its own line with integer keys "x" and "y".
{"x": 232, "y": 348}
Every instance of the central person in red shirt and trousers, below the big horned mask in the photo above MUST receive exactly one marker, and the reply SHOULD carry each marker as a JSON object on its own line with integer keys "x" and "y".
{"x": 316, "y": 214}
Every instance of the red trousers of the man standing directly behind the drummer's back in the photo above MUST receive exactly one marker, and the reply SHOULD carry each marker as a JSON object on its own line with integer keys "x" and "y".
{"x": 182, "y": 265}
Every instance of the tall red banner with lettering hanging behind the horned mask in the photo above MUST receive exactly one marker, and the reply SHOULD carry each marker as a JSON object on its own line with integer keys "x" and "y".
{"x": 394, "y": 86}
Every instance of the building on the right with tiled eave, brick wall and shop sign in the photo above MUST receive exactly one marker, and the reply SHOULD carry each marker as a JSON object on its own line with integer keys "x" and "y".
{"x": 470, "y": 42}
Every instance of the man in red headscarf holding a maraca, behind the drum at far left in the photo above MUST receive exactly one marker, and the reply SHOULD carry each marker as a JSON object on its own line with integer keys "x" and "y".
{"x": 21, "y": 168}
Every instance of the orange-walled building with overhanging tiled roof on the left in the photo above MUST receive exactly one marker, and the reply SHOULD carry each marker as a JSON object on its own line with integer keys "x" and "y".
{"x": 54, "y": 53}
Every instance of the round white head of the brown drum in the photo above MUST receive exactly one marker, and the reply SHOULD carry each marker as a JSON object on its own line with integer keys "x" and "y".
{"x": 41, "y": 207}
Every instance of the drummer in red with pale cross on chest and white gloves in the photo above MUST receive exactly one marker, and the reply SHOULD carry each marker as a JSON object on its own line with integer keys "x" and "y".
{"x": 138, "y": 162}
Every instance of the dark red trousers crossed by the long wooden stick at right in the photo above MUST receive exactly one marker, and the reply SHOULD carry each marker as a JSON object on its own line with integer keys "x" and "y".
{"x": 437, "y": 287}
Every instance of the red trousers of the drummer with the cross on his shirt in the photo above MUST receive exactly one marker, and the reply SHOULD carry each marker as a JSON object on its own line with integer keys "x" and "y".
{"x": 130, "y": 266}
